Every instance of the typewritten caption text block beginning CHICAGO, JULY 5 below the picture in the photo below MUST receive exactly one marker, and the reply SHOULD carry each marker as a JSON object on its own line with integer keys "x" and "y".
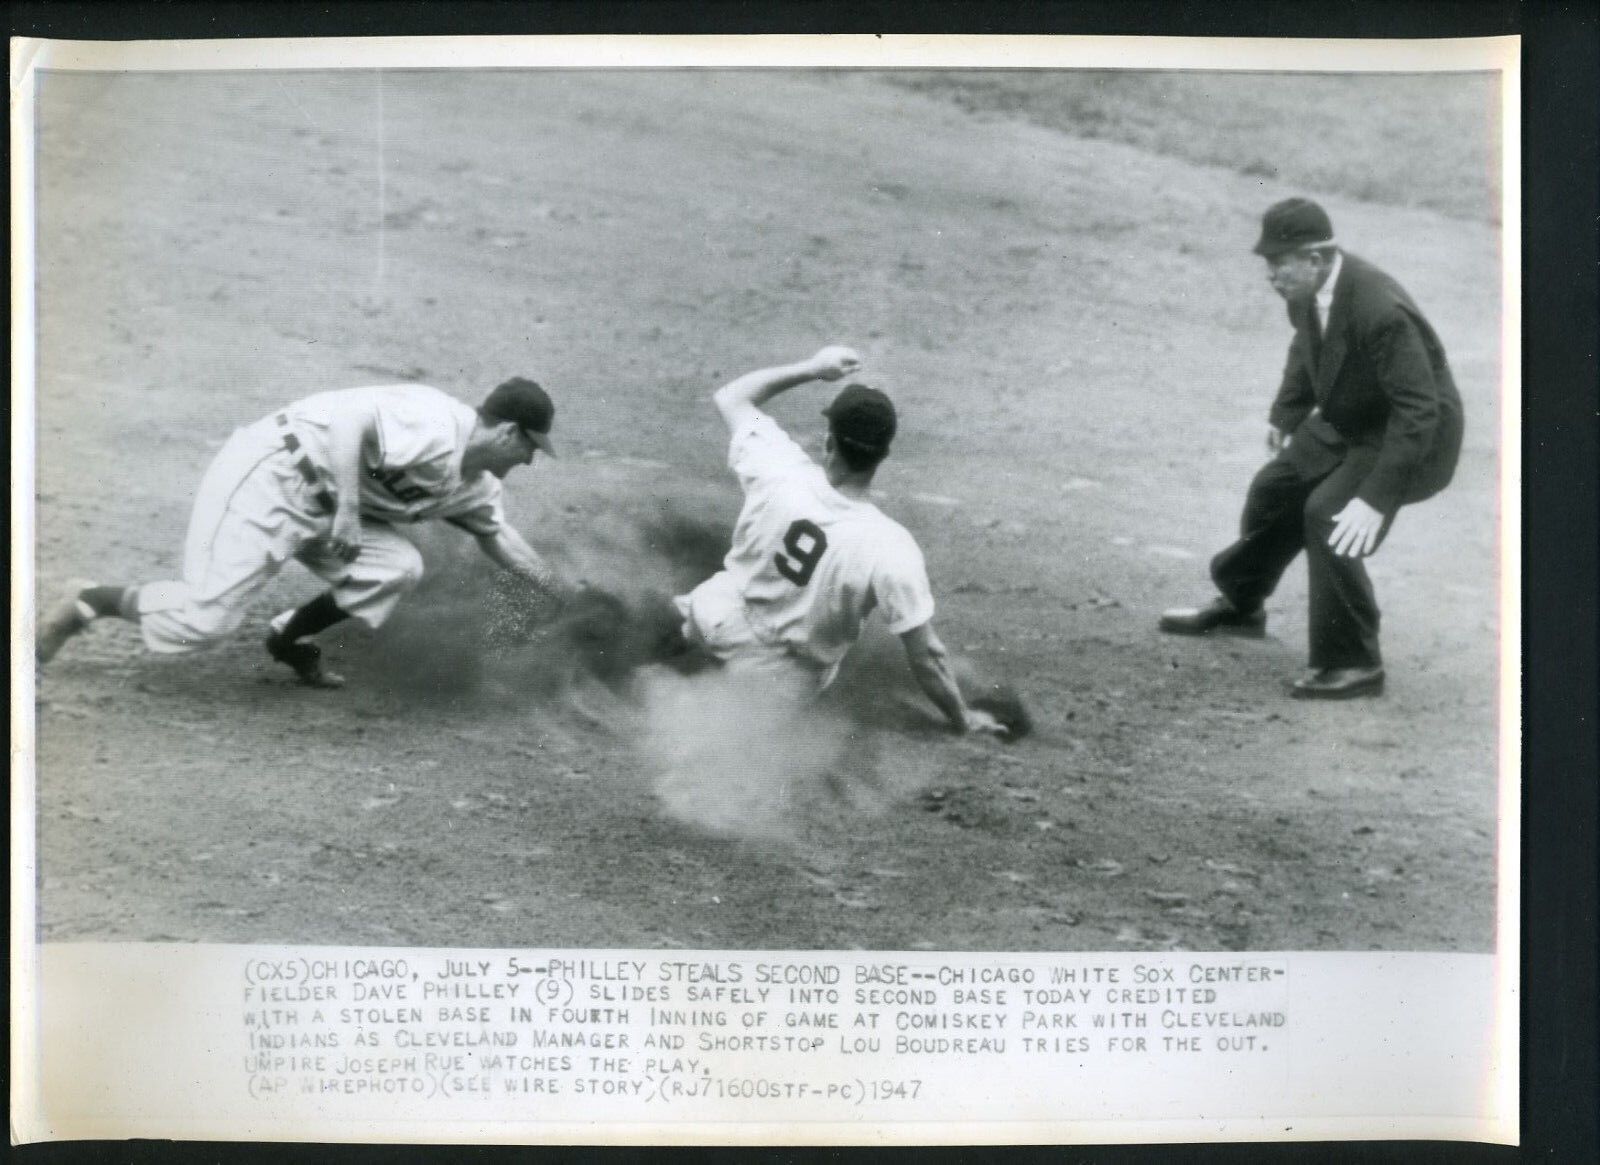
{"x": 700, "y": 1035}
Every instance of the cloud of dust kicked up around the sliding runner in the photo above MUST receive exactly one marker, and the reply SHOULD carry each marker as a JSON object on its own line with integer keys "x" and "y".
{"x": 742, "y": 755}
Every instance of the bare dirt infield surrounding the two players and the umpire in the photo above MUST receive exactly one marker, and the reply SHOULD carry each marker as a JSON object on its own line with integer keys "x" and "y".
{"x": 1084, "y": 351}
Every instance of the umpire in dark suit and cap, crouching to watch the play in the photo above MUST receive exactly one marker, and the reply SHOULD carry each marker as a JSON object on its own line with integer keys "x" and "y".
{"x": 1367, "y": 420}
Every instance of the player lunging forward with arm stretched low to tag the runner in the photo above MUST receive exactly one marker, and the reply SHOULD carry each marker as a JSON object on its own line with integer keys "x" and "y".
{"x": 330, "y": 481}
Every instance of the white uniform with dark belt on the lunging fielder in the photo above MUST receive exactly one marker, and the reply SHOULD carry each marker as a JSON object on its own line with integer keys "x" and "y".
{"x": 270, "y": 497}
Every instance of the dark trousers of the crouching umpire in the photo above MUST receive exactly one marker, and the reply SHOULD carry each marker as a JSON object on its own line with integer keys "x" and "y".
{"x": 1287, "y": 513}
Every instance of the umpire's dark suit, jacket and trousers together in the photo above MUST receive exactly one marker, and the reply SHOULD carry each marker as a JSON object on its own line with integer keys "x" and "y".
{"x": 1374, "y": 415}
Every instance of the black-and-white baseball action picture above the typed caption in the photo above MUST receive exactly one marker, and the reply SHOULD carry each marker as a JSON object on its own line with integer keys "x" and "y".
{"x": 804, "y": 510}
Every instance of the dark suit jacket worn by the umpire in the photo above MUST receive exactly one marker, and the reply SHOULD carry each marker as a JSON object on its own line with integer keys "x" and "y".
{"x": 1382, "y": 383}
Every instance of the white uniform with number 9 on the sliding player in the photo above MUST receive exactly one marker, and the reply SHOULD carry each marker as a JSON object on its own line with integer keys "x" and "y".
{"x": 807, "y": 566}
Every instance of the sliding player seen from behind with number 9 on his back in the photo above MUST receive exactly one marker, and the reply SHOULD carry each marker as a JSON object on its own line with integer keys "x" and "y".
{"x": 812, "y": 558}
